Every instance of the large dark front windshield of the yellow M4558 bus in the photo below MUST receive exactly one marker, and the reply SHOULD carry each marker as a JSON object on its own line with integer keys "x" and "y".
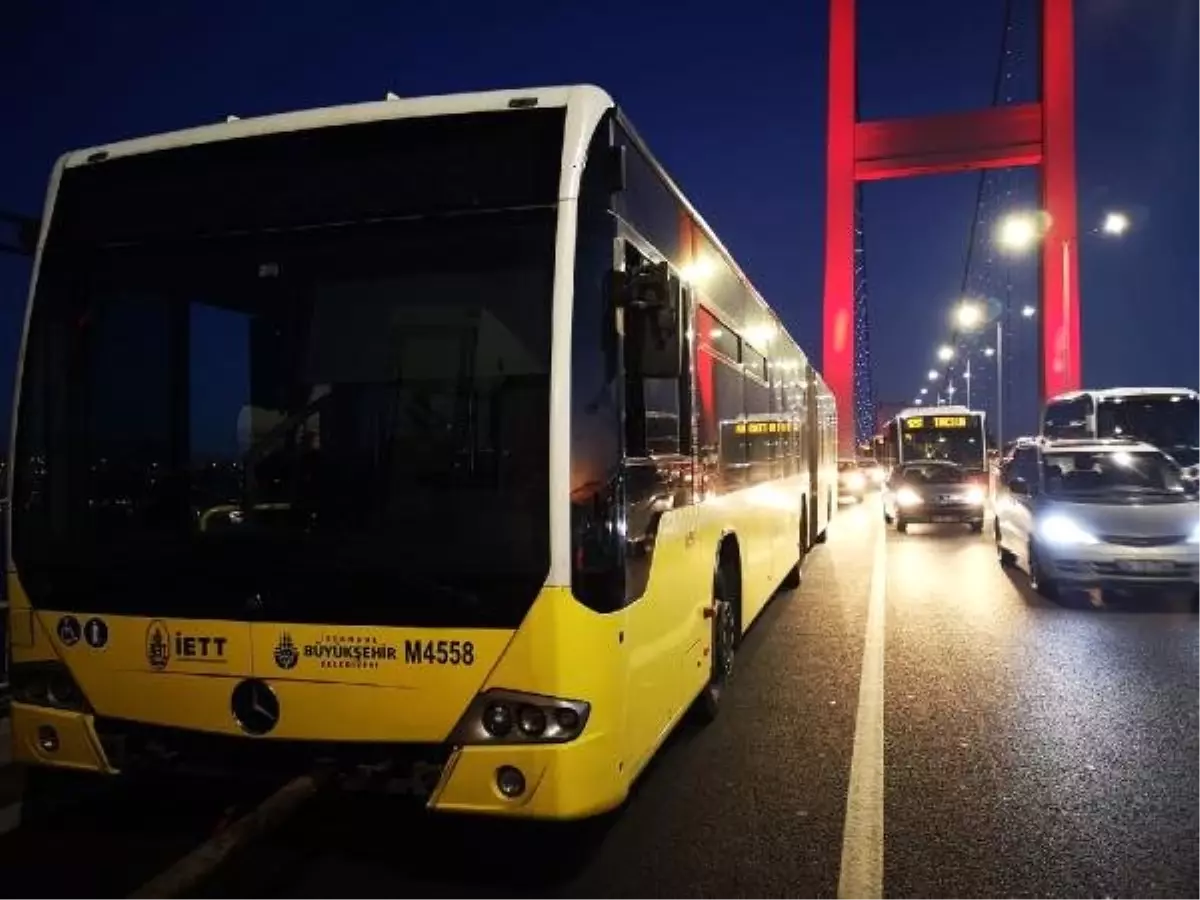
{"x": 344, "y": 423}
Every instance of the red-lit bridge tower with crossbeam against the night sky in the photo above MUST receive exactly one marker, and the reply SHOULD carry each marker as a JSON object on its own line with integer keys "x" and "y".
{"x": 1040, "y": 134}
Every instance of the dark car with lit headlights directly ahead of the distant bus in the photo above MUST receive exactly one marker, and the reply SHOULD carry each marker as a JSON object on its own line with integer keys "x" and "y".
{"x": 933, "y": 493}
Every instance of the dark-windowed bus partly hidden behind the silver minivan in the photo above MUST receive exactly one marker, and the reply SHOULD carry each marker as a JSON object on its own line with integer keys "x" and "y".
{"x": 1168, "y": 418}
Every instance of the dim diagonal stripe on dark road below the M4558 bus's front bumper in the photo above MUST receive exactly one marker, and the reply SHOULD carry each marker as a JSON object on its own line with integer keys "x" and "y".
{"x": 202, "y": 862}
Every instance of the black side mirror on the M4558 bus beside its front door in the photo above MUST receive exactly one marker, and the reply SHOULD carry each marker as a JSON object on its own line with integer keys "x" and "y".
{"x": 655, "y": 339}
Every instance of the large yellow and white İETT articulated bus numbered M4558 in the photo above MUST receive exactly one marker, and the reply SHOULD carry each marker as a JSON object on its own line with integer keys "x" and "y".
{"x": 434, "y": 431}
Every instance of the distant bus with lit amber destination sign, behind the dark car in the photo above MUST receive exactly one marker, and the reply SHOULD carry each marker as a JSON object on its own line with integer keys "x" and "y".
{"x": 952, "y": 434}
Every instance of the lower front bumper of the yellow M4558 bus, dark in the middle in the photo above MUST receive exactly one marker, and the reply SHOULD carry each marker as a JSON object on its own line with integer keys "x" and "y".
{"x": 554, "y": 782}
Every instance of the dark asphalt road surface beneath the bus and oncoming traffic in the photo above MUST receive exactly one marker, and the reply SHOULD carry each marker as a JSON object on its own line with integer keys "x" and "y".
{"x": 1028, "y": 748}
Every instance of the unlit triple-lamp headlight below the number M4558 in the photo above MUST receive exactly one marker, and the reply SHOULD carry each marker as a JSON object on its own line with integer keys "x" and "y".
{"x": 505, "y": 717}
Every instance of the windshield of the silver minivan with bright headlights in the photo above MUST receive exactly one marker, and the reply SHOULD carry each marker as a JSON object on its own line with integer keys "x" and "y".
{"x": 1111, "y": 472}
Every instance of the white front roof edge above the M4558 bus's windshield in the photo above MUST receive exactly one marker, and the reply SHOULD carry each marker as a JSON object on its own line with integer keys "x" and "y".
{"x": 349, "y": 115}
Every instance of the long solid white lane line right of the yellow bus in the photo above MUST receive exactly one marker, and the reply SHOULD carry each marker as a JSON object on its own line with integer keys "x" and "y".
{"x": 862, "y": 842}
